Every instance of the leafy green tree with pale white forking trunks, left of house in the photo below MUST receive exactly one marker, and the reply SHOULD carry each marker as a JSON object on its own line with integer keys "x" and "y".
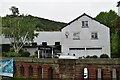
{"x": 19, "y": 29}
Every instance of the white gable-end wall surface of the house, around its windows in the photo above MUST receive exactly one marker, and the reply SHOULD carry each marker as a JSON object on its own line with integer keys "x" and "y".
{"x": 85, "y": 37}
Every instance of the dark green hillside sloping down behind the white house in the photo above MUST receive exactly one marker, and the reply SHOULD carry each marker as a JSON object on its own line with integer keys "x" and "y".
{"x": 43, "y": 24}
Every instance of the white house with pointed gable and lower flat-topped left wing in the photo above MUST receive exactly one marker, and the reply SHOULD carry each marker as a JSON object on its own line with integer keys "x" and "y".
{"x": 81, "y": 37}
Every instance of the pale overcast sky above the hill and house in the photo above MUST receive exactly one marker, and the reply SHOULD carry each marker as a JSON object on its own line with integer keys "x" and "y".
{"x": 58, "y": 10}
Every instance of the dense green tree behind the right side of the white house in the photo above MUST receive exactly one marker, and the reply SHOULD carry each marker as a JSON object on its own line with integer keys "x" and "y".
{"x": 109, "y": 19}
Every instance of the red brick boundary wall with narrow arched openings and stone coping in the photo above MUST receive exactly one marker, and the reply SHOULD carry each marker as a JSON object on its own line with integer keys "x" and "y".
{"x": 68, "y": 69}
